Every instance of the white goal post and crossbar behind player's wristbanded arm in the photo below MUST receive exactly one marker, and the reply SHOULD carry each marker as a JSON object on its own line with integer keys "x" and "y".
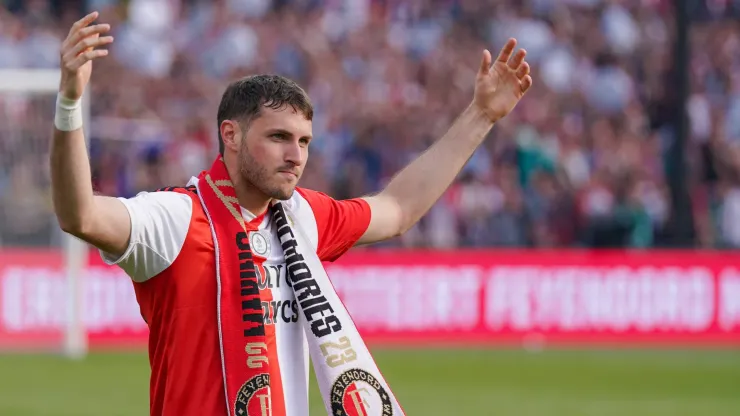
{"x": 75, "y": 252}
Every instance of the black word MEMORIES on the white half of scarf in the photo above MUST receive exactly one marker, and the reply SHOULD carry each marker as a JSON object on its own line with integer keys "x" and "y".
{"x": 315, "y": 306}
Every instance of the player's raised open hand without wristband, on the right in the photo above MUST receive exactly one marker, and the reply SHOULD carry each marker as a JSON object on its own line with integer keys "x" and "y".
{"x": 499, "y": 87}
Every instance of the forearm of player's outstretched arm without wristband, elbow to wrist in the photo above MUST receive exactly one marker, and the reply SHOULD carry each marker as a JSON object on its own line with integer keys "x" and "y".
{"x": 420, "y": 184}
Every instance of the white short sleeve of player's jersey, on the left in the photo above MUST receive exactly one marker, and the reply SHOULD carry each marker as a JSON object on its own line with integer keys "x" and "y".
{"x": 159, "y": 226}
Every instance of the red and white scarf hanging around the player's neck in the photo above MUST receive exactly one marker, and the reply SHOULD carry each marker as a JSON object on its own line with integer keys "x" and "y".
{"x": 349, "y": 380}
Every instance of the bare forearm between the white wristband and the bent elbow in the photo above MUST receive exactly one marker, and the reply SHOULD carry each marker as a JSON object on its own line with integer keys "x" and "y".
{"x": 71, "y": 179}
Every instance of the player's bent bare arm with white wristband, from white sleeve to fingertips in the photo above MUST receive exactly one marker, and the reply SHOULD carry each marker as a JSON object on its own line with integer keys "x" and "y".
{"x": 101, "y": 221}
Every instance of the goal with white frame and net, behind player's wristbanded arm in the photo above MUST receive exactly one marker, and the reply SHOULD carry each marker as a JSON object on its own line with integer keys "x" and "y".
{"x": 41, "y": 267}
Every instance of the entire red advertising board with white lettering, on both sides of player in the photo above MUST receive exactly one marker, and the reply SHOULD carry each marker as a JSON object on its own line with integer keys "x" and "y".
{"x": 422, "y": 298}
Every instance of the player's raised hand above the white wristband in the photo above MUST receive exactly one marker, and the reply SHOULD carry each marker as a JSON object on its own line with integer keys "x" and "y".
{"x": 77, "y": 53}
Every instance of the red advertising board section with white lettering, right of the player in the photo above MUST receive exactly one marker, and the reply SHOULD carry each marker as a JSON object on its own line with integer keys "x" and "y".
{"x": 555, "y": 297}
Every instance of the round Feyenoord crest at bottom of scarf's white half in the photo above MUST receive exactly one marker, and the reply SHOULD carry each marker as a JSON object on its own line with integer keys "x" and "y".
{"x": 358, "y": 393}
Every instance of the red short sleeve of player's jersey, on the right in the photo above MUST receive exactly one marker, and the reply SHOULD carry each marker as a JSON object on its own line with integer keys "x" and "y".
{"x": 340, "y": 224}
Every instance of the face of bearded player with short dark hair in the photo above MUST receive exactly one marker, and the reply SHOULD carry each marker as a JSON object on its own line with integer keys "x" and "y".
{"x": 274, "y": 151}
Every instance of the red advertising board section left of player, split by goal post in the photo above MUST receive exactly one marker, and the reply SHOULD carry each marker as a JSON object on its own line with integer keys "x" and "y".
{"x": 33, "y": 292}
